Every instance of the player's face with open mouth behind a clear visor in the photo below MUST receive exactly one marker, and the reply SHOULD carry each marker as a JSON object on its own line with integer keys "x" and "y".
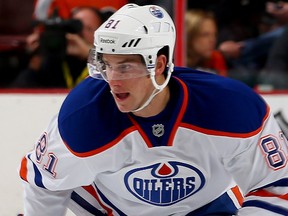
{"x": 129, "y": 94}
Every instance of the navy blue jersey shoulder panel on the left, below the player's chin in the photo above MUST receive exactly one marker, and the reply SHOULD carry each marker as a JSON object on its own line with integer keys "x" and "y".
{"x": 86, "y": 120}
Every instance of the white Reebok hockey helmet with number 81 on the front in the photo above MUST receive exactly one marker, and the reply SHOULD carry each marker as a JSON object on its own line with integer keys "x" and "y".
{"x": 136, "y": 29}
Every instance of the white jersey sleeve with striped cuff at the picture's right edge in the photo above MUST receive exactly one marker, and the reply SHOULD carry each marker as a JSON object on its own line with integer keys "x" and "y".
{"x": 259, "y": 166}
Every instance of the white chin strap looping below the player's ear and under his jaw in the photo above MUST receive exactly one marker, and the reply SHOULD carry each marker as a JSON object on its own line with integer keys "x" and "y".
{"x": 158, "y": 88}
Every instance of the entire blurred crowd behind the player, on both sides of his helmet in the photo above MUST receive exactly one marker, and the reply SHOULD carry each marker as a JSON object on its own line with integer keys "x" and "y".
{"x": 241, "y": 39}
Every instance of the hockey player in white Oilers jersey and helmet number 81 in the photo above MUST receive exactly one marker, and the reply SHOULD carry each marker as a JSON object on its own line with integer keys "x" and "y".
{"x": 140, "y": 137}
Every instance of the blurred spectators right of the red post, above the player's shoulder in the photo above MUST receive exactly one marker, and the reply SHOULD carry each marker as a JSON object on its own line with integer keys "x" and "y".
{"x": 251, "y": 37}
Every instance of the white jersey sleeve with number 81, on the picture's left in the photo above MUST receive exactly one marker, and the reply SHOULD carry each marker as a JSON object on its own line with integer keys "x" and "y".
{"x": 50, "y": 172}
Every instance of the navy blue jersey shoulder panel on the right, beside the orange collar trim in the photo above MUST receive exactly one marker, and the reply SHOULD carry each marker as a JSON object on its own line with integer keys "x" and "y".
{"x": 222, "y": 104}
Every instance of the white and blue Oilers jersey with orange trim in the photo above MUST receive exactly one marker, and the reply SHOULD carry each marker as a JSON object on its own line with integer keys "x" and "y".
{"x": 215, "y": 141}
